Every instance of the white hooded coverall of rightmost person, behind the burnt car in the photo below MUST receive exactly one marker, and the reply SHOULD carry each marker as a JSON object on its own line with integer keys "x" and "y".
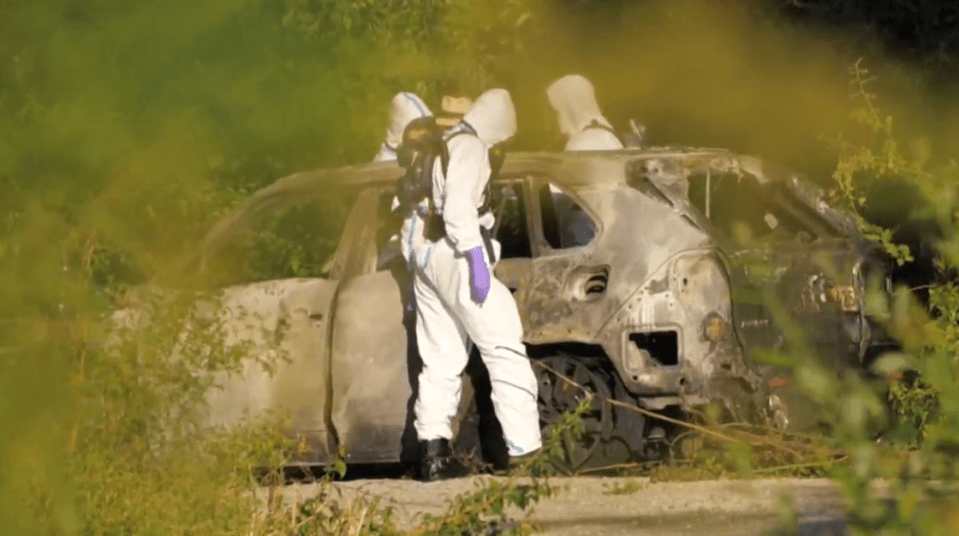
{"x": 574, "y": 100}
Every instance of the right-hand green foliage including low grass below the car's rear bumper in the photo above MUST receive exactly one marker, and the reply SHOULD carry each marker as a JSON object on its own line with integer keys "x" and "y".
{"x": 902, "y": 480}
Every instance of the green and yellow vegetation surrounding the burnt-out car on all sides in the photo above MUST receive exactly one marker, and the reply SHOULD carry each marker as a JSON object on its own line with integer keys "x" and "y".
{"x": 127, "y": 128}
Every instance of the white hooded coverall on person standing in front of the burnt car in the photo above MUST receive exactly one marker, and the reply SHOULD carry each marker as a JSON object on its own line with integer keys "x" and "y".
{"x": 447, "y": 314}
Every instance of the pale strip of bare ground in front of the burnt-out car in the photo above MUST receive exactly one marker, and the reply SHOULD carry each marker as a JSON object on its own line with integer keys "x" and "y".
{"x": 622, "y": 505}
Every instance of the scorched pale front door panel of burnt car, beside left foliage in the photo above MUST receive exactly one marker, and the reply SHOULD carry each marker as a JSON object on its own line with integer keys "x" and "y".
{"x": 286, "y": 323}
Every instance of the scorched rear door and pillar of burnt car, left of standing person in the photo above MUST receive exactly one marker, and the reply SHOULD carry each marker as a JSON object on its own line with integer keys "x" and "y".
{"x": 366, "y": 373}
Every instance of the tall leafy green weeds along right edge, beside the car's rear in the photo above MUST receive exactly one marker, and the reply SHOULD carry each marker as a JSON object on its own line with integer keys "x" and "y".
{"x": 919, "y": 459}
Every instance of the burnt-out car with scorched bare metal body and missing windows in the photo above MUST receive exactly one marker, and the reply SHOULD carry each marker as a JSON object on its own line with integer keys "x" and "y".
{"x": 658, "y": 306}
